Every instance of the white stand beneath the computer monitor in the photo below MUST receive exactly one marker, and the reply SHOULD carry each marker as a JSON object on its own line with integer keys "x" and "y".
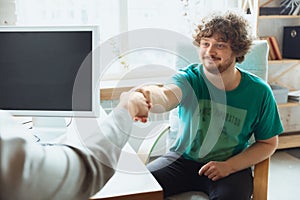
{"x": 48, "y": 128}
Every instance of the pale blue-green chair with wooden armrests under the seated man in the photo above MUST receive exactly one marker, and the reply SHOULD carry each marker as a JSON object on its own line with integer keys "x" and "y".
{"x": 256, "y": 61}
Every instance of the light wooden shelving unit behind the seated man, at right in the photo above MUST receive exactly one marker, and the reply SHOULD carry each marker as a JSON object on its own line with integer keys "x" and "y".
{"x": 285, "y": 72}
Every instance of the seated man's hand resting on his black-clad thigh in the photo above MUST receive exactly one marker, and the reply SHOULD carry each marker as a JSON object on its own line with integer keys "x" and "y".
{"x": 215, "y": 170}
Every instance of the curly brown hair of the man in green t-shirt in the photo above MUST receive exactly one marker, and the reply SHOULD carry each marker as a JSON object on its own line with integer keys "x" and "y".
{"x": 229, "y": 27}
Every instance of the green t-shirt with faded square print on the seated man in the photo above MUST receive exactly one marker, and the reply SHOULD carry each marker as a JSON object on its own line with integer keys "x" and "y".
{"x": 217, "y": 124}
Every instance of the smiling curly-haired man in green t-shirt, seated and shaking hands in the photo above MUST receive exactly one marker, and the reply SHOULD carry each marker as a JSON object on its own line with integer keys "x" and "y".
{"x": 220, "y": 108}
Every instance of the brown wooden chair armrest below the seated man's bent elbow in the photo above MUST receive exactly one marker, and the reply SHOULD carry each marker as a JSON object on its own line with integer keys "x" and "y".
{"x": 260, "y": 181}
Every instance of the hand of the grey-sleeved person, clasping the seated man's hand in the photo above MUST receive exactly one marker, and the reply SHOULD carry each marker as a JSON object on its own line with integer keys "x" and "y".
{"x": 136, "y": 104}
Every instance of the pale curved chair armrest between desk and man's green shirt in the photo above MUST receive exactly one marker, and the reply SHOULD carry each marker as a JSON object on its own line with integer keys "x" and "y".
{"x": 151, "y": 140}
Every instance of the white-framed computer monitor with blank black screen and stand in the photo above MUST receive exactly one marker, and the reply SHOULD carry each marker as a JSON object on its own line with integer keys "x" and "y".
{"x": 49, "y": 73}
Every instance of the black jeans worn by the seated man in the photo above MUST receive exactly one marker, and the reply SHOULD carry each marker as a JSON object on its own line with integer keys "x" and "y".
{"x": 176, "y": 175}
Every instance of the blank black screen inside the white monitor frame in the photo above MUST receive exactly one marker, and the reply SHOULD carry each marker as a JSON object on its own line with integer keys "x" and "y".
{"x": 38, "y": 70}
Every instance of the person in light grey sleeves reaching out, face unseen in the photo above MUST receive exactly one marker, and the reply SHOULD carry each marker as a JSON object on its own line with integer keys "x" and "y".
{"x": 30, "y": 170}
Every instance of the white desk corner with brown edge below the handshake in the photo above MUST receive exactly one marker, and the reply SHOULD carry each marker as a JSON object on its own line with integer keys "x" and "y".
{"x": 132, "y": 180}
